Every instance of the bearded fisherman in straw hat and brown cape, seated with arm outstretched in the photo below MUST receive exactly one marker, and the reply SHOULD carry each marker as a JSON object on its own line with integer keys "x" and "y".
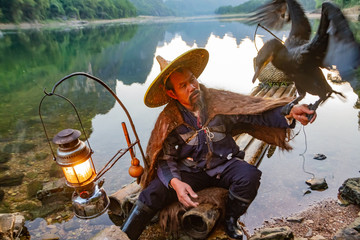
{"x": 192, "y": 147}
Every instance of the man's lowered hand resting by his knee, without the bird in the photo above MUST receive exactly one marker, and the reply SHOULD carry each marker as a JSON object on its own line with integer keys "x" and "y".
{"x": 183, "y": 190}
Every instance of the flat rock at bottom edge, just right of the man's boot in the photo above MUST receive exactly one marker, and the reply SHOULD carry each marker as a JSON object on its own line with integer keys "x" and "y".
{"x": 278, "y": 233}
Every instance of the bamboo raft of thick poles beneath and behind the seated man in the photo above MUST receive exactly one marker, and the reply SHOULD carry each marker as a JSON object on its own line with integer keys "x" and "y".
{"x": 205, "y": 217}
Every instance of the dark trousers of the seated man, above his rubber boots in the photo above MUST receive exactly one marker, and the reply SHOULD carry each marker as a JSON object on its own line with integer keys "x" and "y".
{"x": 241, "y": 178}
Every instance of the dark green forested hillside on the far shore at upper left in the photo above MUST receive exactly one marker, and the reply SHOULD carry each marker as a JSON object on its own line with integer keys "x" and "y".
{"x": 38, "y": 10}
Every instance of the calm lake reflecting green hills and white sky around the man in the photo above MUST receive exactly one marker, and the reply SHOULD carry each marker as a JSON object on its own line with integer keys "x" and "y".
{"x": 123, "y": 56}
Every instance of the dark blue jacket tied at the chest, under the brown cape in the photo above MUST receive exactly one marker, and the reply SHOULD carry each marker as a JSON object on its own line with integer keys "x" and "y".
{"x": 190, "y": 145}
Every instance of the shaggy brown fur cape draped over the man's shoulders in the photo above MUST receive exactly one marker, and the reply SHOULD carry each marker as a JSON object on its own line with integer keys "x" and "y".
{"x": 218, "y": 102}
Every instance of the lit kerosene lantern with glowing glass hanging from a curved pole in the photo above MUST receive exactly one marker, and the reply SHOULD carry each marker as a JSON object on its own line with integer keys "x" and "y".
{"x": 74, "y": 157}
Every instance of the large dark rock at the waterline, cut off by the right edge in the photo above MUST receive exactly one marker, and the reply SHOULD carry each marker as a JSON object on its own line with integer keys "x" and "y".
{"x": 350, "y": 190}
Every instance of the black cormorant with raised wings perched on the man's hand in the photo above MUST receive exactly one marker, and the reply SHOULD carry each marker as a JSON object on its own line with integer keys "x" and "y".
{"x": 301, "y": 58}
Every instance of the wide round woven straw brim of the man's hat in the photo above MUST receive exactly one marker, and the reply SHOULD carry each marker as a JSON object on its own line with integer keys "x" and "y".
{"x": 195, "y": 60}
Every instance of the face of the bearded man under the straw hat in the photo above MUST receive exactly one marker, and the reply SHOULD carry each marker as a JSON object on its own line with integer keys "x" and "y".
{"x": 186, "y": 89}
